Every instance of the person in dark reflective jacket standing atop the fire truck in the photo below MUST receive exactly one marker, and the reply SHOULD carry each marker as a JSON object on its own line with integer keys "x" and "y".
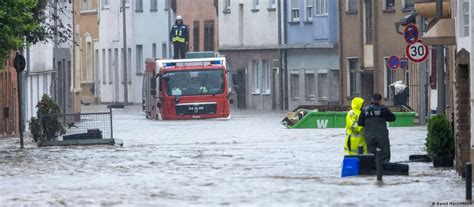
{"x": 179, "y": 37}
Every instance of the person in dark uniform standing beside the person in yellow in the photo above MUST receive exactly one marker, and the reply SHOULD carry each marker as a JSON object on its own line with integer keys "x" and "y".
{"x": 374, "y": 118}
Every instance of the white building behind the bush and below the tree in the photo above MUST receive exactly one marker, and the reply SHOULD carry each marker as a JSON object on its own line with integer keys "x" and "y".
{"x": 49, "y": 69}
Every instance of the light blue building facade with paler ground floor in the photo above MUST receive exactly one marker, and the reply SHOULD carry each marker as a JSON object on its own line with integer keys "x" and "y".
{"x": 311, "y": 53}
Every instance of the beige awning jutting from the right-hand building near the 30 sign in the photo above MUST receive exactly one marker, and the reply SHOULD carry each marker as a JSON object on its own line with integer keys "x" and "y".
{"x": 442, "y": 33}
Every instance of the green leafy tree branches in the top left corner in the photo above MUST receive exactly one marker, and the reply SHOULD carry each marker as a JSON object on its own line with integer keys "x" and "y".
{"x": 28, "y": 21}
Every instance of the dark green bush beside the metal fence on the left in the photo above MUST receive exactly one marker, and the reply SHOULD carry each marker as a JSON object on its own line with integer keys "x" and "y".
{"x": 47, "y": 127}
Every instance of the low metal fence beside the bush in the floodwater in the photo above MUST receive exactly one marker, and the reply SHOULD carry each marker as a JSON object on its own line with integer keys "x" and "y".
{"x": 76, "y": 126}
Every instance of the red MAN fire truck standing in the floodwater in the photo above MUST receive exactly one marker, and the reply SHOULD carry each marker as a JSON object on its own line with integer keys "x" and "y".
{"x": 186, "y": 89}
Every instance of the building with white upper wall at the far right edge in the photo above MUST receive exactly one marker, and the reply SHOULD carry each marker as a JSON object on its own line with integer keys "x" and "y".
{"x": 463, "y": 86}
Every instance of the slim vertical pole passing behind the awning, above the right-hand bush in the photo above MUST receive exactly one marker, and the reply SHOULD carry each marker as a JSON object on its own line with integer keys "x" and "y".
{"x": 441, "y": 110}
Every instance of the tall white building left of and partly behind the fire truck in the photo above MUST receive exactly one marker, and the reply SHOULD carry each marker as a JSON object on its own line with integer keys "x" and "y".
{"x": 147, "y": 36}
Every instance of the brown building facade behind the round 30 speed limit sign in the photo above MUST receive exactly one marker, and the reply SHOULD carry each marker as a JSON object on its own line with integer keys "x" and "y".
{"x": 367, "y": 39}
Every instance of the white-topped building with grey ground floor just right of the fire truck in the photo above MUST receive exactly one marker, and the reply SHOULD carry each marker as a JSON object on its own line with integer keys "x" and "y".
{"x": 249, "y": 38}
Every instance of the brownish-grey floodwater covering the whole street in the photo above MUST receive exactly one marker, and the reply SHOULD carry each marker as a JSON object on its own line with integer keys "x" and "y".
{"x": 250, "y": 159}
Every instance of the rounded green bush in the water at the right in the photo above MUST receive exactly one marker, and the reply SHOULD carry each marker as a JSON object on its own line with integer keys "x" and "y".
{"x": 440, "y": 140}
